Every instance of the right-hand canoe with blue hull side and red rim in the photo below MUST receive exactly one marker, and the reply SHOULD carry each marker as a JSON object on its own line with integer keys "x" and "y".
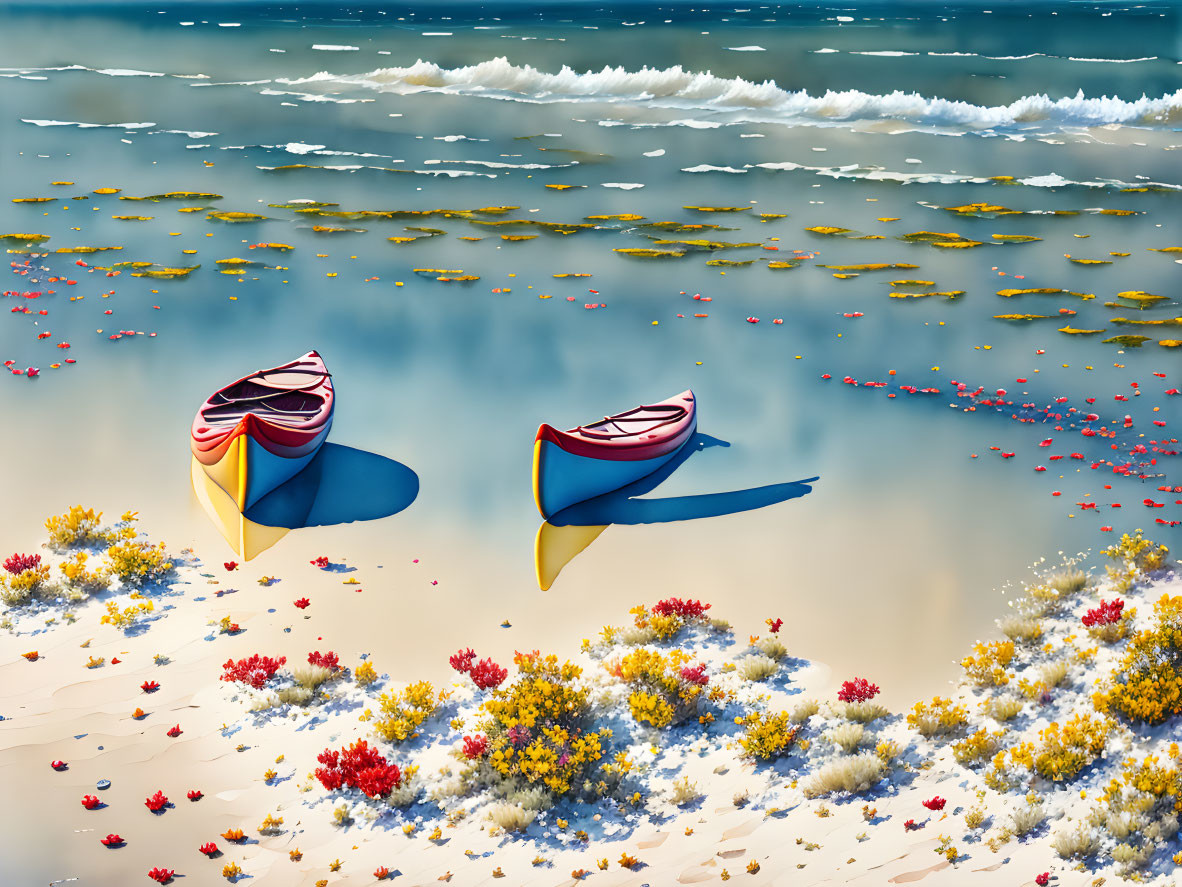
{"x": 595, "y": 459}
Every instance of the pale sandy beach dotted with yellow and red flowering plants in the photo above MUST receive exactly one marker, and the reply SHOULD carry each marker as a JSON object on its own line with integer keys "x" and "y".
{"x": 743, "y": 772}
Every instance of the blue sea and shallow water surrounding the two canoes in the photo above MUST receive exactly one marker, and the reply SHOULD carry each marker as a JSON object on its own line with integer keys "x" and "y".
{"x": 888, "y": 567}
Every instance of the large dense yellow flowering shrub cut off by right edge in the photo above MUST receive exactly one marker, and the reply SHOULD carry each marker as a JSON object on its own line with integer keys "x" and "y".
{"x": 1147, "y": 683}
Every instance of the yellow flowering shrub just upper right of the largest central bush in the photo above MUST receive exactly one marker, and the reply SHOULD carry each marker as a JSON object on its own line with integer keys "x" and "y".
{"x": 666, "y": 689}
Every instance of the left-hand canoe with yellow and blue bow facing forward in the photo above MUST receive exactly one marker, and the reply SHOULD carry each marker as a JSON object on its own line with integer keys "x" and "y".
{"x": 263, "y": 430}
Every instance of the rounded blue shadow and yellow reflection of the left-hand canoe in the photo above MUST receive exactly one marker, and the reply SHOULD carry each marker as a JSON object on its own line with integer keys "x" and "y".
{"x": 341, "y": 485}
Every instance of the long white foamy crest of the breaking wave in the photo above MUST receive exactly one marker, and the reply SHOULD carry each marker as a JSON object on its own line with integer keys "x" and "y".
{"x": 745, "y": 101}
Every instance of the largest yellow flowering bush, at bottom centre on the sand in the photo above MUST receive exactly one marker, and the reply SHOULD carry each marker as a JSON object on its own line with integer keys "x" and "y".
{"x": 537, "y": 727}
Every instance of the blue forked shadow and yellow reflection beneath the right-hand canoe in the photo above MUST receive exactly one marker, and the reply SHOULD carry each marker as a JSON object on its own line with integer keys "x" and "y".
{"x": 571, "y": 530}
